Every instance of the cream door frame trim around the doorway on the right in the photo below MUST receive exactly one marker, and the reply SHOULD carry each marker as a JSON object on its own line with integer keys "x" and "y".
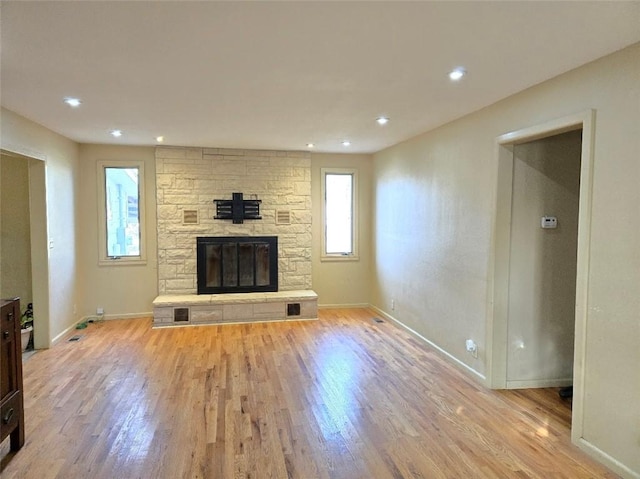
{"x": 499, "y": 258}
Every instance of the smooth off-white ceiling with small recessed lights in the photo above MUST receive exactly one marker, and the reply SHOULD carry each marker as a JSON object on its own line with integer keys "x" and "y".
{"x": 277, "y": 75}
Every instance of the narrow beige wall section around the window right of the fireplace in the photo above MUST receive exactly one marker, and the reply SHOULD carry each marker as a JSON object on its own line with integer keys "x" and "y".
{"x": 342, "y": 283}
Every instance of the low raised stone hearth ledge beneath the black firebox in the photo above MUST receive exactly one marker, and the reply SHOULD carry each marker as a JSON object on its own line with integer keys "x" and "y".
{"x": 200, "y": 309}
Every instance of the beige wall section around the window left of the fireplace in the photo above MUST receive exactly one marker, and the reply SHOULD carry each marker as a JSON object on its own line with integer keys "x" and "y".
{"x": 122, "y": 290}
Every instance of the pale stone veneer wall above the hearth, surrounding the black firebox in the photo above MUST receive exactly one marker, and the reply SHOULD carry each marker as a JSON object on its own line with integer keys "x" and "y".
{"x": 191, "y": 178}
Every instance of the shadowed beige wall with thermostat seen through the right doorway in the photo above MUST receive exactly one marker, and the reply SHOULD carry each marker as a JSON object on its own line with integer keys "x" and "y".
{"x": 542, "y": 275}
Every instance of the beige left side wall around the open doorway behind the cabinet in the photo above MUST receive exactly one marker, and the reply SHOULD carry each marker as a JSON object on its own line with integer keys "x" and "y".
{"x": 56, "y": 281}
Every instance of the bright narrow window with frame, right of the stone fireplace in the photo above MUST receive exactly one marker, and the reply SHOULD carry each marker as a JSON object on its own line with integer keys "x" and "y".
{"x": 339, "y": 214}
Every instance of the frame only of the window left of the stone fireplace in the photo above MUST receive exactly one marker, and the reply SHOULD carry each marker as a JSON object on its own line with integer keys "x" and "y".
{"x": 103, "y": 259}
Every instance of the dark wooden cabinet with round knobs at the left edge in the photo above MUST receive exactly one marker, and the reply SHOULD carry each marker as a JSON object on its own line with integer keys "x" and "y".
{"x": 11, "y": 398}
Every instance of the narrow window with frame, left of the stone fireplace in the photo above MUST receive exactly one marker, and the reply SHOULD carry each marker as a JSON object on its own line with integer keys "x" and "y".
{"x": 121, "y": 212}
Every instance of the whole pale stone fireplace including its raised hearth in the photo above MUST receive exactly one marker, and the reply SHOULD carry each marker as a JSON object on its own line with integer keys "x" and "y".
{"x": 188, "y": 180}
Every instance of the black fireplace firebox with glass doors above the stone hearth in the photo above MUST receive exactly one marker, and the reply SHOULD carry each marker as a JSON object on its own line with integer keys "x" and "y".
{"x": 237, "y": 264}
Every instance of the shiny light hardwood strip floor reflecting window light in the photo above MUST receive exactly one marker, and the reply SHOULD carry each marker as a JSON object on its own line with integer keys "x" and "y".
{"x": 342, "y": 397}
